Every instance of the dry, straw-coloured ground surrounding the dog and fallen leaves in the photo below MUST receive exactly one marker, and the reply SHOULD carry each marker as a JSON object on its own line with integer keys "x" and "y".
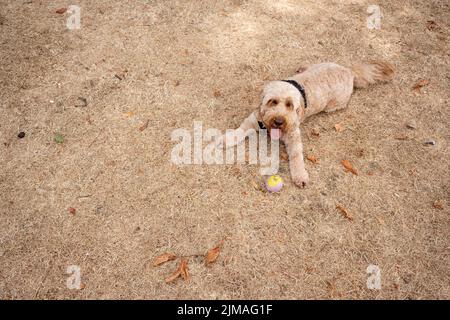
{"x": 173, "y": 62}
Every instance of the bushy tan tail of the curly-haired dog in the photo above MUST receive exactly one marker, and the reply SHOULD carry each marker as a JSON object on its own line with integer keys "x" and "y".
{"x": 372, "y": 72}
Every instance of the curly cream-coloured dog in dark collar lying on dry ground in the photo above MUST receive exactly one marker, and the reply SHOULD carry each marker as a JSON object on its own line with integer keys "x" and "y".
{"x": 315, "y": 88}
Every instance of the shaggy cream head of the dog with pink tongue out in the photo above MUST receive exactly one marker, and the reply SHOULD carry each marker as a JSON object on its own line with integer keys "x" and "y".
{"x": 280, "y": 107}
